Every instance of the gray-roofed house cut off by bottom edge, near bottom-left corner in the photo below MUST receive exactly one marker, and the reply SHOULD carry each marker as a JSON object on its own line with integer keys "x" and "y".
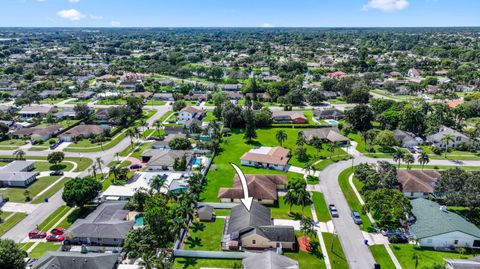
{"x": 77, "y": 260}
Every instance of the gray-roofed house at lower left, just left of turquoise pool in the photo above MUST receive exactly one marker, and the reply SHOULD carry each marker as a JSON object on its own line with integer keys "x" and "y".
{"x": 107, "y": 226}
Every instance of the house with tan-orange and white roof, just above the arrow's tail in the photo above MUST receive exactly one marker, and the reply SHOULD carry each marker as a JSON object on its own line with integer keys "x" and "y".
{"x": 267, "y": 157}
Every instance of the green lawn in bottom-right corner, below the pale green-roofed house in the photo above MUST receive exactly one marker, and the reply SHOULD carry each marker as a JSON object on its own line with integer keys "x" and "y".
{"x": 427, "y": 256}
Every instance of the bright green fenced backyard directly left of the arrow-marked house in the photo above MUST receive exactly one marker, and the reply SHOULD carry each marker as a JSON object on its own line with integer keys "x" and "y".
{"x": 205, "y": 235}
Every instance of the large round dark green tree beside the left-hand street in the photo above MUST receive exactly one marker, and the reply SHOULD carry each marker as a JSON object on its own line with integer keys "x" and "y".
{"x": 79, "y": 191}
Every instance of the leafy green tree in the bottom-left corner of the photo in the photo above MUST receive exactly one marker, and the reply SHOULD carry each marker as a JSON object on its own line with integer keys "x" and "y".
{"x": 11, "y": 256}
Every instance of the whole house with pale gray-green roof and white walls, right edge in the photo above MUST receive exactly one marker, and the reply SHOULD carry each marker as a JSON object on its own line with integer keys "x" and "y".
{"x": 434, "y": 226}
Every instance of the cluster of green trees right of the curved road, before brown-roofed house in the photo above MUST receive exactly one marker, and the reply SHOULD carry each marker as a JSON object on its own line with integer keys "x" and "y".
{"x": 387, "y": 204}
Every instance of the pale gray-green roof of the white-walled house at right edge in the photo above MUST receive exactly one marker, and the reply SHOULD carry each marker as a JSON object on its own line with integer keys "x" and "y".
{"x": 431, "y": 221}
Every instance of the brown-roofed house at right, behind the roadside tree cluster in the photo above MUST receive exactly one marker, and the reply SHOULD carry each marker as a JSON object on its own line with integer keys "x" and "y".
{"x": 417, "y": 183}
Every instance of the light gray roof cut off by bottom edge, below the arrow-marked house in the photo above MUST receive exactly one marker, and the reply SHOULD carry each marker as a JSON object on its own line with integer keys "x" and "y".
{"x": 269, "y": 260}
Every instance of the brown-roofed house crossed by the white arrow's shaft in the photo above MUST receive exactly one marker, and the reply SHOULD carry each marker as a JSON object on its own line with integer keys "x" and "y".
{"x": 263, "y": 189}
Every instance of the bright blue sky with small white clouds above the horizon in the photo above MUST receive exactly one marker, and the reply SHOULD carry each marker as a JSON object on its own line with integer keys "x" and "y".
{"x": 239, "y": 13}
